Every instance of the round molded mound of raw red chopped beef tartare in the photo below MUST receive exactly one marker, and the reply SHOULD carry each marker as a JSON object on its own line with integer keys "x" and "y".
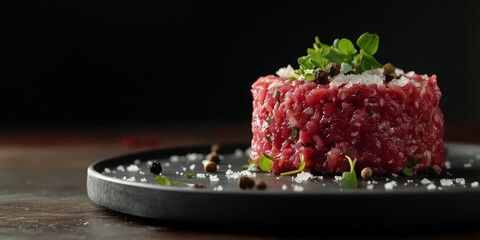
{"x": 383, "y": 125}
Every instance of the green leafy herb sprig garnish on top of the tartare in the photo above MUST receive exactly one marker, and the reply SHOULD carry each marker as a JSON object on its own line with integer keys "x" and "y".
{"x": 342, "y": 52}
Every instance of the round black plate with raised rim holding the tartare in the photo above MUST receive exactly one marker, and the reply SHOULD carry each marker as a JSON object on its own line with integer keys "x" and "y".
{"x": 124, "y": 184}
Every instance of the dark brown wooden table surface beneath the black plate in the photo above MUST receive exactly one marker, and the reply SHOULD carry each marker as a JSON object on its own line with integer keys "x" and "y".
{"x": 43, "y": 183}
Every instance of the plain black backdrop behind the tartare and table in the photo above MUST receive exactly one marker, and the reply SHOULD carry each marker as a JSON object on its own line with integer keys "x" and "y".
{"x": 167, "y": 61}
